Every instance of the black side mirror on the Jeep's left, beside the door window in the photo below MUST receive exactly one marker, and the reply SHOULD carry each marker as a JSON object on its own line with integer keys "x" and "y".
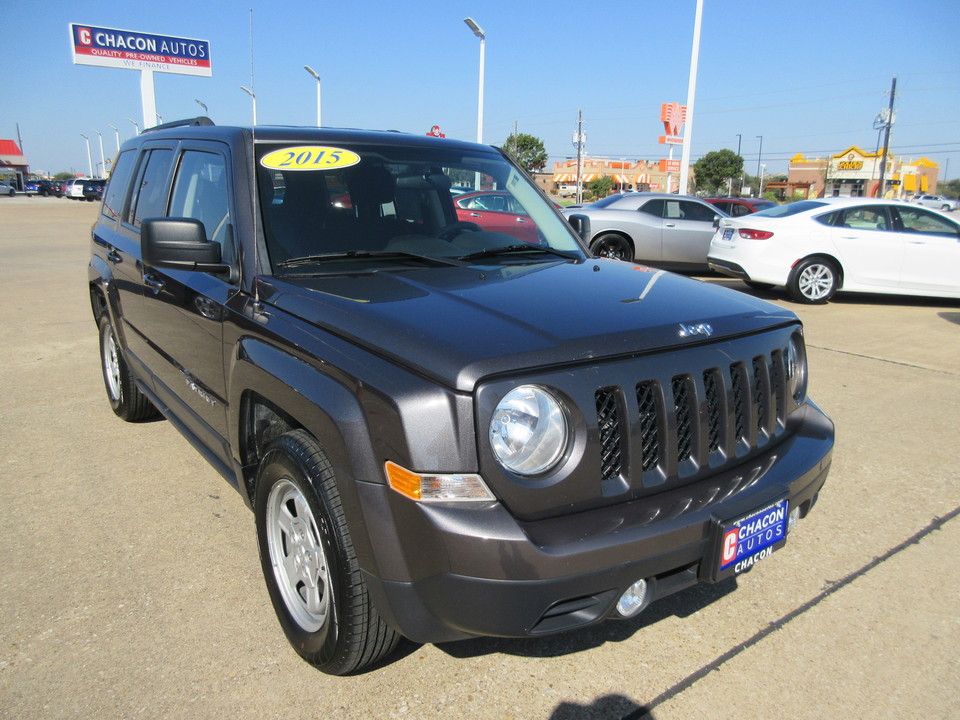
{"x": 179, "y": 244}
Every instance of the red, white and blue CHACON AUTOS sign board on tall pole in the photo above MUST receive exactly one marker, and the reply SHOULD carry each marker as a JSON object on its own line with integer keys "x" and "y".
{"x": 109, "y": 47}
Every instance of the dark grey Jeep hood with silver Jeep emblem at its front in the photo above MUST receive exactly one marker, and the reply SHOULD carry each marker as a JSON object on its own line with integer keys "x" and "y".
{"x": 459, "y": 325}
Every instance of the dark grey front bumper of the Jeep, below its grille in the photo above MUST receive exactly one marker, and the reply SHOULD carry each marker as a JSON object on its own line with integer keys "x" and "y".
{"x": 445, "y": 572}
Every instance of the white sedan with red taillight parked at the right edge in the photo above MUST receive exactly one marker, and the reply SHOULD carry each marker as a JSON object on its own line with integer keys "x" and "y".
{"x": 814, "y": 248}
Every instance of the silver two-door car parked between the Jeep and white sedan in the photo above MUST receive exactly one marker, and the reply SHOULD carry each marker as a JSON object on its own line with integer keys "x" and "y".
{"x": 659, "y": 229}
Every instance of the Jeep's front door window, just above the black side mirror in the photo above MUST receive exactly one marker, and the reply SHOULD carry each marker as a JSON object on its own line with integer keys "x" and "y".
{"x": 200, "y": 191}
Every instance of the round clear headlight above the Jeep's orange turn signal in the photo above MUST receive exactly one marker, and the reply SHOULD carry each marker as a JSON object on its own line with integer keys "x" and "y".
{"x": 528, "y": 431}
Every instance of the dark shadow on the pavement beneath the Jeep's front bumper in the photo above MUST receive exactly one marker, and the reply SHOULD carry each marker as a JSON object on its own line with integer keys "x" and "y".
{"x": 682, "y": 604}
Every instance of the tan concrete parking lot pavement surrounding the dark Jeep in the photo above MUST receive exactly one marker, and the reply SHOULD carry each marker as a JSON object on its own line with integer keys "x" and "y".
{"x": 131, "y": 585}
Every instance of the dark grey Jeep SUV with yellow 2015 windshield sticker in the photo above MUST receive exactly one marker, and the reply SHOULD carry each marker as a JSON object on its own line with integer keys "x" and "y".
{"x": 442, "y": 432}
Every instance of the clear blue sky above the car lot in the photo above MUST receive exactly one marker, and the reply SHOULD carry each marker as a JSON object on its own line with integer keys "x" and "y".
{"x": 809, "y": 77}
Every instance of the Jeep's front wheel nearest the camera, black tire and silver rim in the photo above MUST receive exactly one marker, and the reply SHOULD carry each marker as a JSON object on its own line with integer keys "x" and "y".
{"x": 309, "y": 563}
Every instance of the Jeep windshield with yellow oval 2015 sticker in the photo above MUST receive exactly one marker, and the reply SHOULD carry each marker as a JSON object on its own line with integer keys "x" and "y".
{"x": 326, "y": 206}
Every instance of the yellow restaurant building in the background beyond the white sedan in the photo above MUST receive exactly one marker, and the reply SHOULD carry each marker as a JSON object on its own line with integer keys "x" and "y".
{"x": 855, "y": 173}
